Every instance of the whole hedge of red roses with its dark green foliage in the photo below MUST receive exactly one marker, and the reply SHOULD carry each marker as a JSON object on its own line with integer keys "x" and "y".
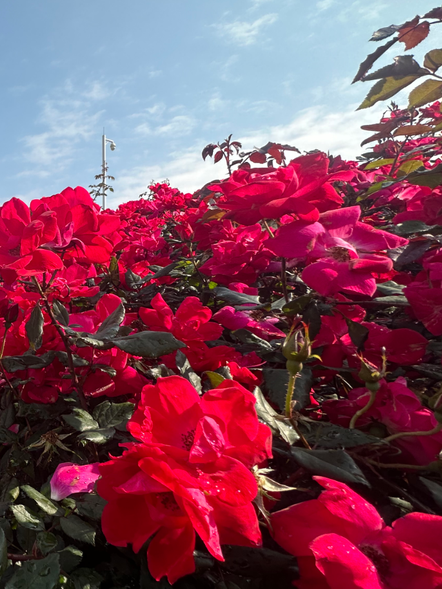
{"x": 228, "y": 388}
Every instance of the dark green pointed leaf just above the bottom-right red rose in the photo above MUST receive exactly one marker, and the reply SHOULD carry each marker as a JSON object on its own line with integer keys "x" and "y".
{"x": 336, "y": 464}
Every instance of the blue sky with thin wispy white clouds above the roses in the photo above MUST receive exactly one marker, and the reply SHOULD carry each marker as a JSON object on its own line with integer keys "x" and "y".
{"x": 166, "y": 78}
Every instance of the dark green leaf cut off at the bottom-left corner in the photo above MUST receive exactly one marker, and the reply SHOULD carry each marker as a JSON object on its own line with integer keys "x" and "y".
{"x": 36, "y": 574}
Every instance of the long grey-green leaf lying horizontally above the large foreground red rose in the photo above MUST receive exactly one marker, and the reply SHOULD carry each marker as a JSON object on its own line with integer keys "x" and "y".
{"x": 148, "y": 344}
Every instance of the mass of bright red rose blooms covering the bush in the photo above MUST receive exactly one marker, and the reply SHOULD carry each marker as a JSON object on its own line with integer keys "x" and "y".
{"x": 223, "y": 274}
